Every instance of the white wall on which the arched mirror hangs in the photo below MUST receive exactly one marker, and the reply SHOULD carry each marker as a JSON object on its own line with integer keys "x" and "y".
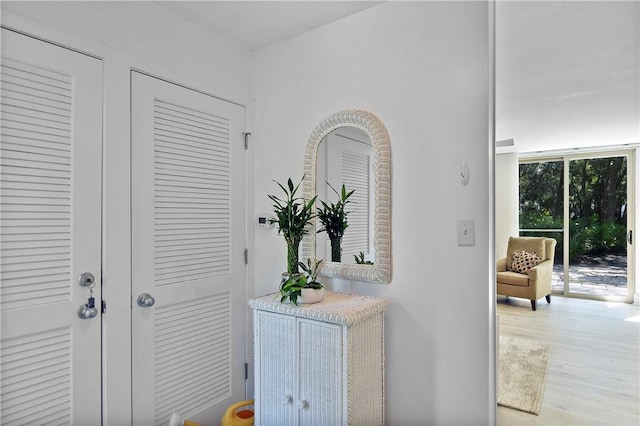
{"x": 424, "y": 69}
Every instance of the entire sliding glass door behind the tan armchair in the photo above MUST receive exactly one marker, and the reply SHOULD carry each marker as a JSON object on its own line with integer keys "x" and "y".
{"x": 585, "y": 202}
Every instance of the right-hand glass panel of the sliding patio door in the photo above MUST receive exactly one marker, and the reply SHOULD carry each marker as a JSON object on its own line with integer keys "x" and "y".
{"x": 598, "y": 210}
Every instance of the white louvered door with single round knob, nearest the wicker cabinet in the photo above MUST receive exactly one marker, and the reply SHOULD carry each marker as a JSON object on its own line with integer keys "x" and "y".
{"x": 188, "y": 240}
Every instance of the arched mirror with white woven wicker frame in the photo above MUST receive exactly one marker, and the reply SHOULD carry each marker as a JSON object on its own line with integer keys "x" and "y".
{"x": 352, "y": 148}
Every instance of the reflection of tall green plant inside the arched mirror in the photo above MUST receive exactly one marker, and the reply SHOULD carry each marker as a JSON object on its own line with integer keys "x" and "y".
{"x": 333, "y": 218}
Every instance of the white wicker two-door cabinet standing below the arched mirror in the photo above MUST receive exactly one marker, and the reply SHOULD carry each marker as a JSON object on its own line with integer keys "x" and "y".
{"x": 319, "y": 364}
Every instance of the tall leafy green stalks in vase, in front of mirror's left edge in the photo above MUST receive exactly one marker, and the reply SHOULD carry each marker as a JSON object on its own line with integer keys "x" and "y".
{"x": 293, "y": 214}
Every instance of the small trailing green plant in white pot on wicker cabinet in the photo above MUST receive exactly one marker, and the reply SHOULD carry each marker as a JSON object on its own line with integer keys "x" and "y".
{"x": 303, "y": 287}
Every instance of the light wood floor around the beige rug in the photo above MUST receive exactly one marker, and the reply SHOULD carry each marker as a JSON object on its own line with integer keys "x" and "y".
{"x": 594, "y": 371}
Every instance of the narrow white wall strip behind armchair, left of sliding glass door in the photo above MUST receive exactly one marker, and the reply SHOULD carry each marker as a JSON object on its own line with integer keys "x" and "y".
{"x": 507, "y": 193}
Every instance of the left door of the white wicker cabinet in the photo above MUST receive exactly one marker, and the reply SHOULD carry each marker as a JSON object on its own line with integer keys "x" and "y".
{"x": 276, "y": 384}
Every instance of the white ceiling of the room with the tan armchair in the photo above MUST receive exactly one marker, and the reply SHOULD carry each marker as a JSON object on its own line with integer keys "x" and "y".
{"x": 567, "y": 74}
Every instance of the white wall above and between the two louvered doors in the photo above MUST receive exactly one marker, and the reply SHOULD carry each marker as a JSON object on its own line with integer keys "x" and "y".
{"x": 129, "y": 35}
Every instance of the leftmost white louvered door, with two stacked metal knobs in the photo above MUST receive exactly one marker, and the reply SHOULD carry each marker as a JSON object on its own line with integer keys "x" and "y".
{"x": 50, "y": 188}
